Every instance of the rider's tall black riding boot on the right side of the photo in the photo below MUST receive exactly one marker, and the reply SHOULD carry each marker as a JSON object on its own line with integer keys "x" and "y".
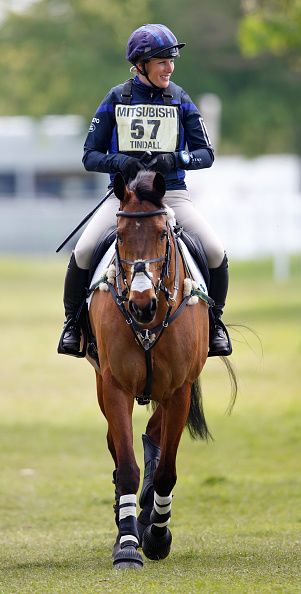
{"x": 219, "y": 340}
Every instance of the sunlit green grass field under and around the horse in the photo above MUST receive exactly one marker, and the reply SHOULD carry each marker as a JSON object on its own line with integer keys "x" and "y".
{"x": 237, "y": 505}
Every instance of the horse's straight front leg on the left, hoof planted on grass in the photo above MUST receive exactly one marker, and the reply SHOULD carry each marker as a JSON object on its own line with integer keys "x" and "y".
{"x": 118, "y": 408}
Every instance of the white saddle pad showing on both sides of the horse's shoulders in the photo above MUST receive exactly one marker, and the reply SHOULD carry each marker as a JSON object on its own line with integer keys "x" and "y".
{"x": 189, "y": 262}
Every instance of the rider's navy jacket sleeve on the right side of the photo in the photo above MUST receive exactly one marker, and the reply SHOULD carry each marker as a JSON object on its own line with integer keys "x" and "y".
{"x": 198, "y": 143}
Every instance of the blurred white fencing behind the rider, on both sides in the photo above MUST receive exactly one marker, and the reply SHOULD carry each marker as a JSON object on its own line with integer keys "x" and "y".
{"x": 254, "y": 205}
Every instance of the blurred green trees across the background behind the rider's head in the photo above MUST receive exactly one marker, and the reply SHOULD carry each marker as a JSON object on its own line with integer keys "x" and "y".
{"x": 62, "y": 56}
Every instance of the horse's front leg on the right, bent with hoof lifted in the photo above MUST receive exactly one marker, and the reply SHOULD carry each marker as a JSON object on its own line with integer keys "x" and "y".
{"x": 156, "y": 540}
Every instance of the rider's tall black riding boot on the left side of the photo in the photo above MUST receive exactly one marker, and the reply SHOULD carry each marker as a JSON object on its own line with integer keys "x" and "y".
{"x": 74, "y": 294}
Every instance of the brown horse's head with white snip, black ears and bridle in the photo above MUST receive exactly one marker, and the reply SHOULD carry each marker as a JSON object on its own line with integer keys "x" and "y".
{"x": 142, "y": 241}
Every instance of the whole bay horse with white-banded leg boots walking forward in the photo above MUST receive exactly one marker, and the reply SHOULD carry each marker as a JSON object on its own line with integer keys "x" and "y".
{"x": 151, "y": 345}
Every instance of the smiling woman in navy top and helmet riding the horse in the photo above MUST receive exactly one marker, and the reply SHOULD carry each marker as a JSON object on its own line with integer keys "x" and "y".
{"x": 150, "y": 113}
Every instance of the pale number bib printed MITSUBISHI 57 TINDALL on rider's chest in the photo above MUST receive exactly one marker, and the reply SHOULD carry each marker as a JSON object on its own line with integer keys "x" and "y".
{"x": 147, "y": 127}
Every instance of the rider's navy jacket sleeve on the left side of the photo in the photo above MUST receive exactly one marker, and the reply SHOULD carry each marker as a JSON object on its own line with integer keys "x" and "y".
{"x": 99, "y": 139}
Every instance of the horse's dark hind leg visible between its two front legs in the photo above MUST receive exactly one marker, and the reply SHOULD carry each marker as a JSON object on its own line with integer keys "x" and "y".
{"x": 151, "y": 446}
